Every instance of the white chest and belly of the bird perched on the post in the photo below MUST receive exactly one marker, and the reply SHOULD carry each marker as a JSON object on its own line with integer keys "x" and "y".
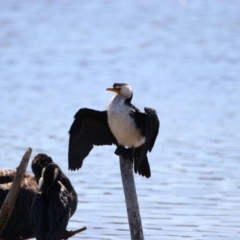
{"x": 122, "y": 125}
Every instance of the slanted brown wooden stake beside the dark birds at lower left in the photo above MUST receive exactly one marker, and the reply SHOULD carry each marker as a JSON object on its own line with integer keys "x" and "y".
{"x": 10, "y": 200}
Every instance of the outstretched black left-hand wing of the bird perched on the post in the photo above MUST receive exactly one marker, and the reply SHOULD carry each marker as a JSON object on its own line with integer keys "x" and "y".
{"x": 90, "y": 127}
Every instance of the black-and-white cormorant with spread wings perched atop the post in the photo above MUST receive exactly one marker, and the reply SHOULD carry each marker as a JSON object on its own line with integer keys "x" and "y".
{"x": 133, "y": 132}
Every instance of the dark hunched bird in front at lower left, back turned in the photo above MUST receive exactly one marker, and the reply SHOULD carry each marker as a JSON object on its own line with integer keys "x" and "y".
{"x": 53, "y": 205}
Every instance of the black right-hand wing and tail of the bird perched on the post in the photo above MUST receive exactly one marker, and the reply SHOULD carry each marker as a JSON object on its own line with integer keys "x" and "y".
{"x": 149, "y": 124}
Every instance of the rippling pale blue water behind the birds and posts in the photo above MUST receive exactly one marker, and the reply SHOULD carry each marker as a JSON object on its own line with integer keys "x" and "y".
{"x": 181, "y": 58}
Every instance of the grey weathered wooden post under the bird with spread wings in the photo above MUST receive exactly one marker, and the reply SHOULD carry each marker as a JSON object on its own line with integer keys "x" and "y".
{"x": 133, "y": 212}
